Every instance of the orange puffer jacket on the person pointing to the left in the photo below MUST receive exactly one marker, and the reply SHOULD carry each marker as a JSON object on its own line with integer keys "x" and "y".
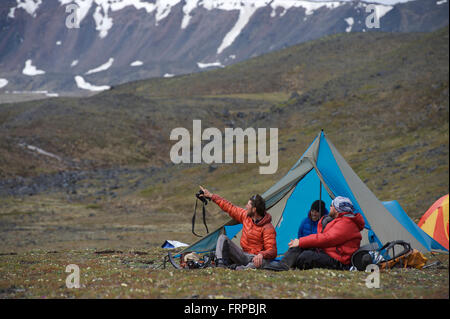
{"x": 256, "y": 238}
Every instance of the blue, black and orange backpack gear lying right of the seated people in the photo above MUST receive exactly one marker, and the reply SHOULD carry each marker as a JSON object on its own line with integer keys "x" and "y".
{"x": 388, "y": 256}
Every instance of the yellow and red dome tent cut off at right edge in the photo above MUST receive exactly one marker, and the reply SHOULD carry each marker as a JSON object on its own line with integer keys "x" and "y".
{"x": 435, "y": 221}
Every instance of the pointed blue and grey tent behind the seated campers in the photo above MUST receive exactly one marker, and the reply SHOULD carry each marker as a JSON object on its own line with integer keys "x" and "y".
{"x": 322, "y": 173}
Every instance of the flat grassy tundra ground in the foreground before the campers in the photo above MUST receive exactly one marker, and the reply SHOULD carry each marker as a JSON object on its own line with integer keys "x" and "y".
{"x": 139, "y": 274}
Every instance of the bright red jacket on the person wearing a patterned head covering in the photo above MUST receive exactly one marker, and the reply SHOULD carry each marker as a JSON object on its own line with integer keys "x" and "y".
{"x": 340, "y": 239}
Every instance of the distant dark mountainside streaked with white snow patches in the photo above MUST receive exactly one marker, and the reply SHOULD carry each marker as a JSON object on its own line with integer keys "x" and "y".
{"x": 123, "y": 41}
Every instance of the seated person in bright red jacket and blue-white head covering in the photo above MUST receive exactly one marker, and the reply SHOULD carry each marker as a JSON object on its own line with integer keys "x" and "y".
{"x": 338, "y": 237}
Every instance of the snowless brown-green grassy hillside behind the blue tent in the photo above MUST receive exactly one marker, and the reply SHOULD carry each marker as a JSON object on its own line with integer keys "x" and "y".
{"x": 381, "y": 98}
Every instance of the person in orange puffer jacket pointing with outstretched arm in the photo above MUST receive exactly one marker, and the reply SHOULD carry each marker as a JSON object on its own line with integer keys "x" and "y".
{"x": 258, "y": 239}
